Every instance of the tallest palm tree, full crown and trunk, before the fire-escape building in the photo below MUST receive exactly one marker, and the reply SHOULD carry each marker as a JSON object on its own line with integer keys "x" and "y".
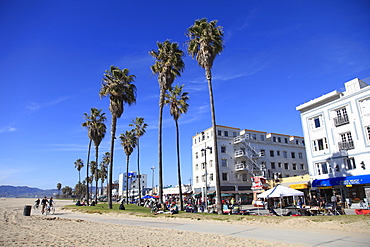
{"x": 205, "y": 43}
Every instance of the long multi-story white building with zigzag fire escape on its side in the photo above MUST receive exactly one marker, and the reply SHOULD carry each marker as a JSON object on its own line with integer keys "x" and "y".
{"x": 244, "y": 154}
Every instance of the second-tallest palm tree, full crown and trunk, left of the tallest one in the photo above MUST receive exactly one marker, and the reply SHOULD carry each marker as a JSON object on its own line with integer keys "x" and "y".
{"x": 168, "y": 66}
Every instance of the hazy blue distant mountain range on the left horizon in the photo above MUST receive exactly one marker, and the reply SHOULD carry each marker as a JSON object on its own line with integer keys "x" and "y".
{"x": 25, "y": 192}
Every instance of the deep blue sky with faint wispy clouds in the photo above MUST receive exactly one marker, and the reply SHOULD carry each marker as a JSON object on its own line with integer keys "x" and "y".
{"x": 278, "y": 55}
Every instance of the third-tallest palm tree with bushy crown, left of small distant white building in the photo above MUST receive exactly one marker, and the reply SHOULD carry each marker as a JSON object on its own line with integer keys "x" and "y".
{"x": 117, "y": 84}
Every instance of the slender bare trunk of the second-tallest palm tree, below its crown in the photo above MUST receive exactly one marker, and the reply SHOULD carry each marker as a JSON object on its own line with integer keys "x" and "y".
{"x": 160, "y": 178}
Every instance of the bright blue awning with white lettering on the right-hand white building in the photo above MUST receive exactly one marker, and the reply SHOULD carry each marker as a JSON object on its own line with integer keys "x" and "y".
{"x": 350, "y": 180}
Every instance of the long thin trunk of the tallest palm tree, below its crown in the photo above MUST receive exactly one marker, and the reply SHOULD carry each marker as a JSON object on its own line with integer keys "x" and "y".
{"x": 217, "y": 177}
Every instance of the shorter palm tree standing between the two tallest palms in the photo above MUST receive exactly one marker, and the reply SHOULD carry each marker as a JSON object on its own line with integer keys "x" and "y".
{"x": 178, "y": 105}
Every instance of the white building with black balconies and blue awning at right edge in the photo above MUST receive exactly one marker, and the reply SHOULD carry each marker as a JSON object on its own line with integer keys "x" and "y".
{"x": 336, "y": 129}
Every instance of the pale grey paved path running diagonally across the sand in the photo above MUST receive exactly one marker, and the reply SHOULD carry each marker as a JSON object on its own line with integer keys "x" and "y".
{"x": 287, "y": 235}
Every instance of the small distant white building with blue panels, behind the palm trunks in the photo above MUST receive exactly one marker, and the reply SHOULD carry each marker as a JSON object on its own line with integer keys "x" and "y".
{"x": 133, "y": 184}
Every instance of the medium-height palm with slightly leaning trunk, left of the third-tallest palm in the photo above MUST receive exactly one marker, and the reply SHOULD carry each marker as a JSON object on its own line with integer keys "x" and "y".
{"x": 93, "y": 123}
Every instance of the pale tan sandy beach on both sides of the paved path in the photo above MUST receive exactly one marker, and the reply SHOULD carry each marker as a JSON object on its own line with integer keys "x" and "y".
{"x": 39, "y": 230}
